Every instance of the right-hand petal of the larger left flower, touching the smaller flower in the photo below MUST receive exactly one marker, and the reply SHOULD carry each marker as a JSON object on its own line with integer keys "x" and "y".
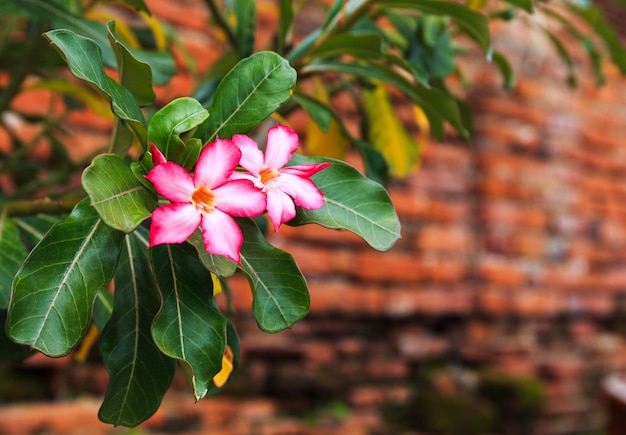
{"x": 240, "y": 198}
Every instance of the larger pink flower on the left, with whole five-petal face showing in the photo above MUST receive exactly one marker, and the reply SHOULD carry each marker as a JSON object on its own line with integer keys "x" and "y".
{"x": 208, "y": 200}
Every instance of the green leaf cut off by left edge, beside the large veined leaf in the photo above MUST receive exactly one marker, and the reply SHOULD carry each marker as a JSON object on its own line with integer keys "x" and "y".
{"x": 12, "y": 255}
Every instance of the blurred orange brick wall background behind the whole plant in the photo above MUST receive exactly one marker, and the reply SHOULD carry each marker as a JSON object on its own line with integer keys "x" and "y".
{"x": 502, "y": 310}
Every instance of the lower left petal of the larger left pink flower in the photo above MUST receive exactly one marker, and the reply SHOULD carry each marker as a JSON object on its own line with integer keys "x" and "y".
{"x": 173, "y": 223}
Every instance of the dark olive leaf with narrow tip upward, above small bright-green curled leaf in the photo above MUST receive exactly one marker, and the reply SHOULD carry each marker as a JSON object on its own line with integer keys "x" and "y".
{"x": 136, "y": 76}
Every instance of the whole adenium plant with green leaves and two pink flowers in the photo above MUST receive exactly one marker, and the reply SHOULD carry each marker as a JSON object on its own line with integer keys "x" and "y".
{"x": 179, "y": 200}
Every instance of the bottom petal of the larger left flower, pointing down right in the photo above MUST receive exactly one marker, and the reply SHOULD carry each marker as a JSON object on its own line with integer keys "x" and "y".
{"x": 221, "y": 235}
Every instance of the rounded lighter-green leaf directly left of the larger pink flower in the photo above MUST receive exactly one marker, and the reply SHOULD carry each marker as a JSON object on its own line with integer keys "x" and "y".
{"x": 120, "y": 199}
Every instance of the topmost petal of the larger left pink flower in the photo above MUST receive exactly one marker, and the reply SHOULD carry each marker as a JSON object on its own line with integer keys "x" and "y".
{"x": 216, "y": 163}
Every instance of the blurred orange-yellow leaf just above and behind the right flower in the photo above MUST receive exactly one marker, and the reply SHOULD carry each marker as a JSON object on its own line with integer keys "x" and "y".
{"x": 331, "y": 143}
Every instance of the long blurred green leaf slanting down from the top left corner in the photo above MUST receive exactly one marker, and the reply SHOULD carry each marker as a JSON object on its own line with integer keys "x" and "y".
{"x": 62, "y": 18}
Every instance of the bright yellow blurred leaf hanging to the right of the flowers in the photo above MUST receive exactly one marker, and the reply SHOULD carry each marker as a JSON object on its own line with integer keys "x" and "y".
{"x": 387, "y": 134}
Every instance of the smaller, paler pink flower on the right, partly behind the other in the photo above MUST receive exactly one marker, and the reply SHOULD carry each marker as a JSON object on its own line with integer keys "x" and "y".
{"x": 284, "y": 186}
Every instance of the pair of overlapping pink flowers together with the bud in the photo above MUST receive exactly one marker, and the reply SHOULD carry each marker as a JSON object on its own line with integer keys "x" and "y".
{"x": 216, "y": 192}
